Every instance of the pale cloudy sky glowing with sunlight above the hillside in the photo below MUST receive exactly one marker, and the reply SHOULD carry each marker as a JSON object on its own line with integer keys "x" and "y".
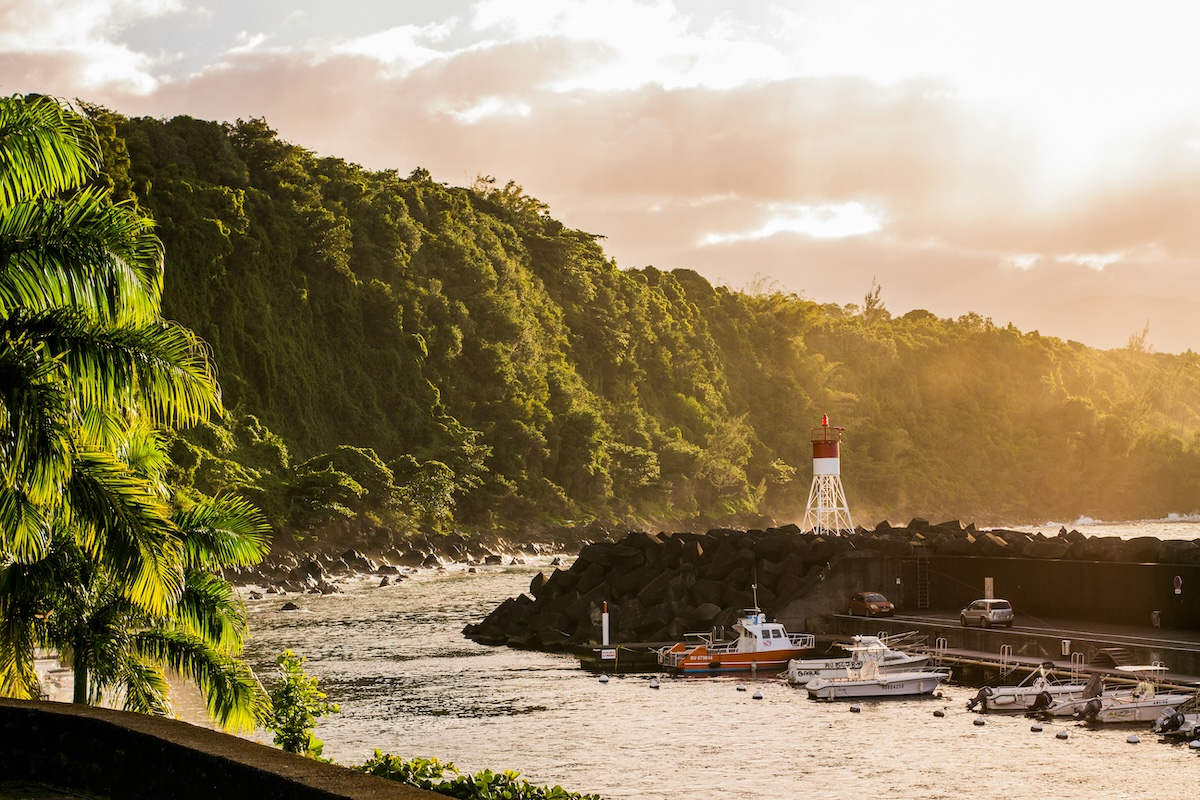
{"x": 1035, "y": 163}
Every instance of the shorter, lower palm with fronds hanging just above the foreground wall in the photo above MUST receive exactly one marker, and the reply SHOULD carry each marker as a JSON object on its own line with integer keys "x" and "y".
{"x": 123, "y": 654}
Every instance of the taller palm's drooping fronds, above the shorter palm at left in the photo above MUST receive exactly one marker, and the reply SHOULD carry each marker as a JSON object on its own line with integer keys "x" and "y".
{"x": 82, "y": 345}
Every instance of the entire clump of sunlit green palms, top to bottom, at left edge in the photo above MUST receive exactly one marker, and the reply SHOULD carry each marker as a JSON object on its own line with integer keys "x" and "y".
{"x": 93, "y": 561}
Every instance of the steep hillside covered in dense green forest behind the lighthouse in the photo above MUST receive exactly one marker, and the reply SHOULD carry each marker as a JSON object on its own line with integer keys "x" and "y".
{"x": 395, "y": 352}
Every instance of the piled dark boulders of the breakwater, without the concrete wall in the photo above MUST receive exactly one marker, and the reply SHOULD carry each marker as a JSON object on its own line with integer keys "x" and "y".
{"x": 659, "y": 587}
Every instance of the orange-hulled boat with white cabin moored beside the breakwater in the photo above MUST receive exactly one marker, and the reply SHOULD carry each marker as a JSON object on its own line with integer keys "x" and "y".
{"x": 759, "y": 646}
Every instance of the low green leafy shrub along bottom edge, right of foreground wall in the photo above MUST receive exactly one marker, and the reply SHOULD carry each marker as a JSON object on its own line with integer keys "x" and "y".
{"x": 445, "y": 779}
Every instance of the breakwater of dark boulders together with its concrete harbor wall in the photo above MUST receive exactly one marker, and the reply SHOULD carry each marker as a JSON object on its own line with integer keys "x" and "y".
{"x": 659, "y": 587}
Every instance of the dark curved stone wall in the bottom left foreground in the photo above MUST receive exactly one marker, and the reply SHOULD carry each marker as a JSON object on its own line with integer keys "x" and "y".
{"x": 106, "y": 754}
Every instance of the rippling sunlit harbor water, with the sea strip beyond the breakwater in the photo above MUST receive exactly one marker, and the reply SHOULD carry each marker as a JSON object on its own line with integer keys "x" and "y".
{"x": 412, "y": 685}
